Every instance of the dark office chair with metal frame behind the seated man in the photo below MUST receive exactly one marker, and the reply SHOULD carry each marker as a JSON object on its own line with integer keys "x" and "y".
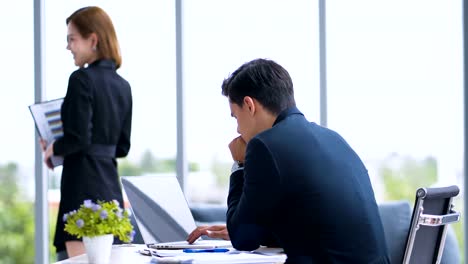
{"x": 433, "y": 211}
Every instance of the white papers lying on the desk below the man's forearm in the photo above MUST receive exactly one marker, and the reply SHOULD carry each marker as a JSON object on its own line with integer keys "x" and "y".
{"x": 262, "y": 255}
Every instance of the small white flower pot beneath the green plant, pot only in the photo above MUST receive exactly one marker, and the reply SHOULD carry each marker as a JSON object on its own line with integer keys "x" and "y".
{"x": 99, "y": 248}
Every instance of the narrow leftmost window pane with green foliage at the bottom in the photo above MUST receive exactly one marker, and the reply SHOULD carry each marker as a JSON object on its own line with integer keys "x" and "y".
{"x": 17, "y": 135}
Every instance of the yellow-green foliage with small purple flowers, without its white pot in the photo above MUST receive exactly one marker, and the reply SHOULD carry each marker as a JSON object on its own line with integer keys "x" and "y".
{"x": 103, "y": 218}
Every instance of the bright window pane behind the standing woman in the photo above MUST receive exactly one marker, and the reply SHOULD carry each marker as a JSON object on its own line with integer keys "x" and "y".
{"x": 146, "y": 33}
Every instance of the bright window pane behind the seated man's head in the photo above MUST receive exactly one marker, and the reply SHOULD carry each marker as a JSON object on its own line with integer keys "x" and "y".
{"x": 219, "y": 36}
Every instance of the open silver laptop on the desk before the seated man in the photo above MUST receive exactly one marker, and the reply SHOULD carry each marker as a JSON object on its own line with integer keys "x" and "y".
{"x": 162, "y": 213}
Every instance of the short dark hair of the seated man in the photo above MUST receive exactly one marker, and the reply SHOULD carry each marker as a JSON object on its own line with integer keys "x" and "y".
{"x": 264, "y": 80}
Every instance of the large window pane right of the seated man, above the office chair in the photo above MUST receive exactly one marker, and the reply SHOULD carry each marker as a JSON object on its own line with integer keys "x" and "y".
{"x": 396, "y": 91}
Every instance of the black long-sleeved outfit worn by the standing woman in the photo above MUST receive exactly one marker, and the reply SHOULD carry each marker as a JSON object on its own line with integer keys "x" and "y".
{"x": 96, "y": 116}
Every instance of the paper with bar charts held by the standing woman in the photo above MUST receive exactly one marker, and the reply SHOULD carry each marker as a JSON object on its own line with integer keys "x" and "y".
{"x": 48, "y": 123}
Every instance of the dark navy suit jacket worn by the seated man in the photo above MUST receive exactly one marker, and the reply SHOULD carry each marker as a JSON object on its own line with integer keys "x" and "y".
{"x": 306, "y": 188}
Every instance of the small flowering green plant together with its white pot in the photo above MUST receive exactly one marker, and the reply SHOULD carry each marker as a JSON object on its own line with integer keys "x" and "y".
{"x": 98, "y": 223}
